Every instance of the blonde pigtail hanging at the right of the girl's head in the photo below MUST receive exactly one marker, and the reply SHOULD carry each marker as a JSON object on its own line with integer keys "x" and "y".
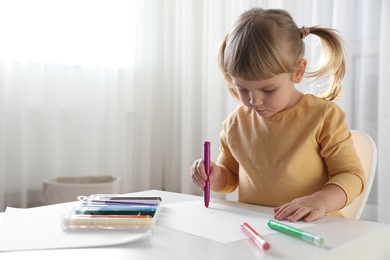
{"x": 334, "y": 61}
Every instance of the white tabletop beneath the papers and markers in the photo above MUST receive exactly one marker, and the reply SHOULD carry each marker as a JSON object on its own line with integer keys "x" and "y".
{"x": 346, "y": 239}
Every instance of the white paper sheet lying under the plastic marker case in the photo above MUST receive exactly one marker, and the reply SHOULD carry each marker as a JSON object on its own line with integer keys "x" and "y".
{"x": 39, "y": 228}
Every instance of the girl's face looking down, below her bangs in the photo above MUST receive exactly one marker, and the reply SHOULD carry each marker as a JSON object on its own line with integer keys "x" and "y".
{"x": 270, "y": 96}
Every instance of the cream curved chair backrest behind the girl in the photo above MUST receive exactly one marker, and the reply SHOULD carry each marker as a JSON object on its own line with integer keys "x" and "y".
{"x": 366, "y": 149}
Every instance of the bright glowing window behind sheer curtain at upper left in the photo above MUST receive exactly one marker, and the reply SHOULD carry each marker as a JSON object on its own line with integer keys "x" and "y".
{"x": 78, "y": 32}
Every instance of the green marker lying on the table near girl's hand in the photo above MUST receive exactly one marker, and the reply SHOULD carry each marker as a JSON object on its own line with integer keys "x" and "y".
{"x": 289, "y": 230}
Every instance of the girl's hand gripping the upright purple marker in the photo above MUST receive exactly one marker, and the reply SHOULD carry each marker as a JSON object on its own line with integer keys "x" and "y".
{"x": 217, "y": 175}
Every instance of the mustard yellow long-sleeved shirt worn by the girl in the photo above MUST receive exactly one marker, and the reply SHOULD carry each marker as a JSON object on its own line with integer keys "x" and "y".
{"x": 291, "y": 154}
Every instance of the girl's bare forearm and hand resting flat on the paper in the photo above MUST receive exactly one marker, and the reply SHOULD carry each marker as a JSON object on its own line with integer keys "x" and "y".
{"x": 313, "y": 207}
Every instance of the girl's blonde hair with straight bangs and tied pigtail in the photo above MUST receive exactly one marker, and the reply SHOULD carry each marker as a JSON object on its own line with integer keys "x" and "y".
{"x": 265, "y": 43}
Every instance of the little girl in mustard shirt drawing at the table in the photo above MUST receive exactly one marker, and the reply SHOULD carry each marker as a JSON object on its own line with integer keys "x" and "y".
{"x": 282, "y": 148}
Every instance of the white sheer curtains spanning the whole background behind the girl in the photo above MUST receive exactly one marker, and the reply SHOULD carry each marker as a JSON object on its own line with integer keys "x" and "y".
{"x": 135, "y": 90}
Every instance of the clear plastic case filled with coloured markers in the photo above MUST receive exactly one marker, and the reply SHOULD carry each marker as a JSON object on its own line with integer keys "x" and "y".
{"x": 112, "y": 211}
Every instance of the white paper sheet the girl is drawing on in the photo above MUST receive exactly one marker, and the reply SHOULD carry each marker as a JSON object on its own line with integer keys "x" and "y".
{"x": 219, "y": 222}
